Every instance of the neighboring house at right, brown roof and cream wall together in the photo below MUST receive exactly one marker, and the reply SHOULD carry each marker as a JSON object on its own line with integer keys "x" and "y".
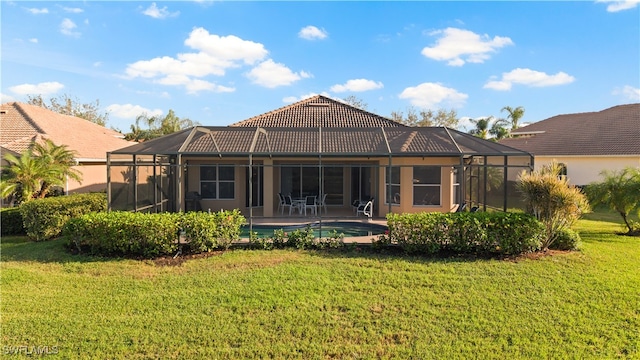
{"x": 585, "y": 143}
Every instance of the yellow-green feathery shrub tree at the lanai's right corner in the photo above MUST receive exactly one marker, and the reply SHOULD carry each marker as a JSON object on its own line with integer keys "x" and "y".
{"x": 549, "y": 197}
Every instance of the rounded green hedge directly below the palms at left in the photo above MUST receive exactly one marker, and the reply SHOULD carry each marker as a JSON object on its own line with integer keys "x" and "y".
{"x": 44, "y": 218}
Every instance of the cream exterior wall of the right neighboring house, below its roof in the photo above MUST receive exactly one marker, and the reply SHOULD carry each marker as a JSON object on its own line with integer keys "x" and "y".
{"x": 582, "y": 170}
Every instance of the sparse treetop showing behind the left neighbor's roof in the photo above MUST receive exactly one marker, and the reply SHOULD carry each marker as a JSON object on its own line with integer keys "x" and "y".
{"x": 73, "y": 107}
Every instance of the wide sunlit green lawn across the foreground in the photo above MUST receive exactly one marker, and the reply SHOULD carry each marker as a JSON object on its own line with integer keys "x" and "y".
{"x": 296, "y": 304}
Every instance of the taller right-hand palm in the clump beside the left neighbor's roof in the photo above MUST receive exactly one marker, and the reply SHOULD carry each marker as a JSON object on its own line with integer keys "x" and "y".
{"x": 58, "y": 161}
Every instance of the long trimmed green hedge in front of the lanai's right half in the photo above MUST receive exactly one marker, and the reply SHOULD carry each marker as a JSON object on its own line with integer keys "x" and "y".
{"x": 481, "y": 232}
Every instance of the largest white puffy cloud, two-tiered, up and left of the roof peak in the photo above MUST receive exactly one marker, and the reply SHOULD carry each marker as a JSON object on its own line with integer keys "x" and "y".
{"x": 215, "y": 54}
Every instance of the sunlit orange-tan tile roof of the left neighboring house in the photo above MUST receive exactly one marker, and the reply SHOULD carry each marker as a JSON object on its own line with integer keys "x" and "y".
{"x": 22, "y": 124}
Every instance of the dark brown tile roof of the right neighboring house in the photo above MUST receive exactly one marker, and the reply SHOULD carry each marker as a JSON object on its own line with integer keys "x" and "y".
{"x": 614, "y": 131}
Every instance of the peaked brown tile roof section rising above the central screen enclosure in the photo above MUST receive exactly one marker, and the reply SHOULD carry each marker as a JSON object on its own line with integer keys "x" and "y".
{"x": 318, "y": 111}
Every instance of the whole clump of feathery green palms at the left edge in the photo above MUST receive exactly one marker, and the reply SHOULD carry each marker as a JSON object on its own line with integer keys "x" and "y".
{"x": 37, "y": 170}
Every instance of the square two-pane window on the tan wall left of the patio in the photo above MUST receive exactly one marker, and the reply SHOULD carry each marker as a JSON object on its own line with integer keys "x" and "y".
{"x": 217, "y": 182}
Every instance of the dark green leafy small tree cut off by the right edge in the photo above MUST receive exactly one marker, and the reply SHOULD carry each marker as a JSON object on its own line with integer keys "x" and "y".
{"x": 620, "y": 191}
